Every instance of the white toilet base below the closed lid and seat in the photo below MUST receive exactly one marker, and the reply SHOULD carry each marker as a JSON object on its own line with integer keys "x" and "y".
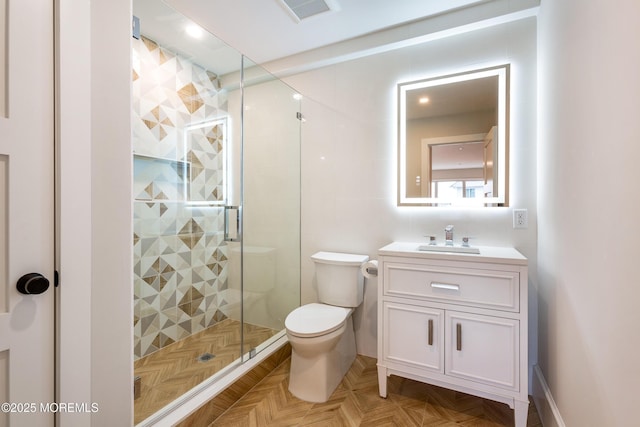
{"x": 315, "y": 375}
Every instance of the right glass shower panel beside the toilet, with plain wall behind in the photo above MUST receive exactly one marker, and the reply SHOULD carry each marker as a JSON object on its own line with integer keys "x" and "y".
{"x": 271, "y": 209}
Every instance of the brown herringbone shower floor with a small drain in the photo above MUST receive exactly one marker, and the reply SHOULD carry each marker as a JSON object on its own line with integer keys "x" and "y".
{"x": 177, "y": 368}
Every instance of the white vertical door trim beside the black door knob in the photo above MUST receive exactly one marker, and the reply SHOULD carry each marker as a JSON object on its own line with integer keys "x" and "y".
{"x": 73, "y": 296}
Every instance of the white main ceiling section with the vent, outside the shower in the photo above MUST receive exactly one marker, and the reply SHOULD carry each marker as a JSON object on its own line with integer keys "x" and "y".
{"x": 264, "y": 31}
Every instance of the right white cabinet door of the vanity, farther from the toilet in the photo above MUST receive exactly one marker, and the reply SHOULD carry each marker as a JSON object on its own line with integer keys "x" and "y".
{"x": 482, "y": 349}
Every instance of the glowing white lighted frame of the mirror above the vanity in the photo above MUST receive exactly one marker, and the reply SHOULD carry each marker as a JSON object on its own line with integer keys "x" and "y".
{"x": 501, "y": 132}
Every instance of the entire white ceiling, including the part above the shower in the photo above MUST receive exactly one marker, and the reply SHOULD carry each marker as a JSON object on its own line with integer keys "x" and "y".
{"x": 264, "y": 30}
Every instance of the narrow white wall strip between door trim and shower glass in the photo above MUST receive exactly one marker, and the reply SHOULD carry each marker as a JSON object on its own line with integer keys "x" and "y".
{"x": 112, "y": 222}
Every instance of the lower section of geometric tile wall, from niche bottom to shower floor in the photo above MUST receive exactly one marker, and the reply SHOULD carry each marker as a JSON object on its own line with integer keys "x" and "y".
{"x": 179, "y": 270}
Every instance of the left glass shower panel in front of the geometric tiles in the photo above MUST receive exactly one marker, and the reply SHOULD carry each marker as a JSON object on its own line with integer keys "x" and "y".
{"x": 183, "y": 148}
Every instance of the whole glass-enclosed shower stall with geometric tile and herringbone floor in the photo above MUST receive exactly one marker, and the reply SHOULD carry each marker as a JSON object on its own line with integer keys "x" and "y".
{"x": 216, "y": 155}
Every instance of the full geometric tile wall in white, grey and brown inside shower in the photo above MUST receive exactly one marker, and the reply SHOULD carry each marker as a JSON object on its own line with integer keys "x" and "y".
{"x": 180, "y": 259}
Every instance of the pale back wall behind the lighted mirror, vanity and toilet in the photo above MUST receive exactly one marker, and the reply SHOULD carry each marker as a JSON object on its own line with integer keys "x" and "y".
{"x": 349, "y": 155}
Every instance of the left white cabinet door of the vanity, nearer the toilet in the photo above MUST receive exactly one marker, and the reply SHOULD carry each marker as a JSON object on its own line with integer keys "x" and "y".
{"x": 413, "y": 336}
